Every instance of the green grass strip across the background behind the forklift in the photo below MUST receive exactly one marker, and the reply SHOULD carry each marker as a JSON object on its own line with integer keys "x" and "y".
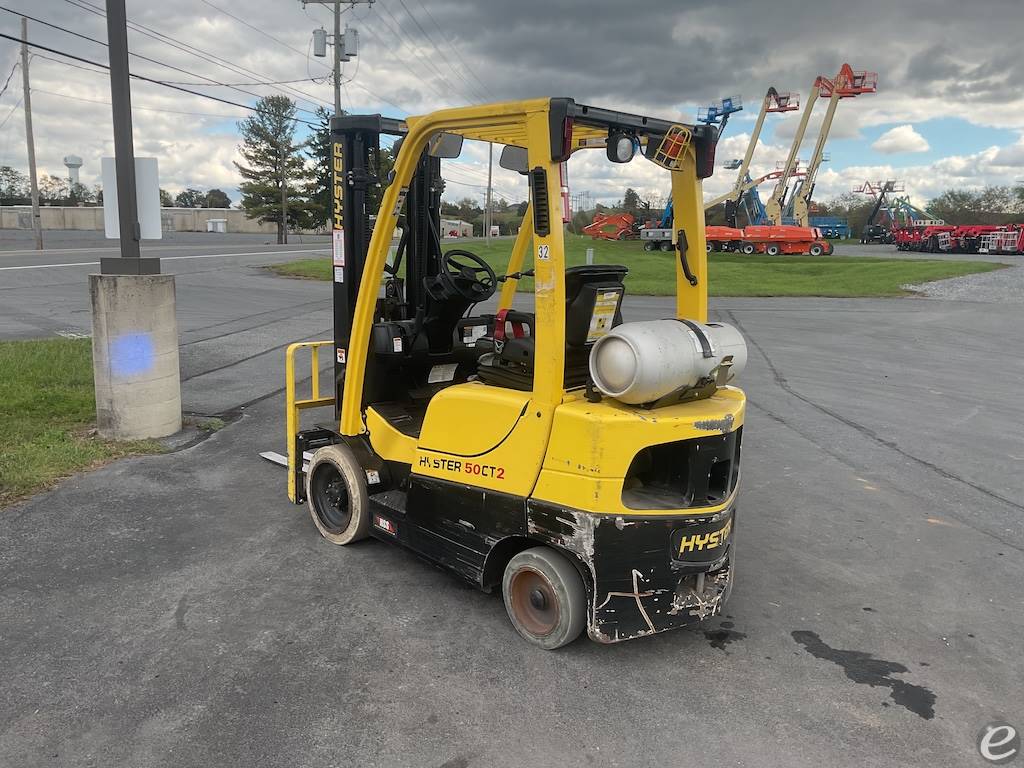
{"x": 731, "y": 275}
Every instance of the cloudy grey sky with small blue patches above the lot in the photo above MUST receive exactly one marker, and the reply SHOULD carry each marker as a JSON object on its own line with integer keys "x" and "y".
{"x": 949, "y": 112}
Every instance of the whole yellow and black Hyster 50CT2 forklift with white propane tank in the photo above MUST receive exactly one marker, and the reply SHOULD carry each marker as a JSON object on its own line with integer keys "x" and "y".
{"x": 586, "y": 466}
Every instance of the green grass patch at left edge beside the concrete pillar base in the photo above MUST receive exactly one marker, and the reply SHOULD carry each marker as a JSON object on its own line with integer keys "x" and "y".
{"x": 48, "y": 408}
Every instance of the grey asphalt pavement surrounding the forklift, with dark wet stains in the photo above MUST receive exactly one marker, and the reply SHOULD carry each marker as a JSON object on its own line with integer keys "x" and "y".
{"x": 176, "y": 611}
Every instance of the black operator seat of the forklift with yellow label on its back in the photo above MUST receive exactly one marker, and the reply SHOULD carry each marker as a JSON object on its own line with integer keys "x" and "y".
{"x": 593, "y": 307}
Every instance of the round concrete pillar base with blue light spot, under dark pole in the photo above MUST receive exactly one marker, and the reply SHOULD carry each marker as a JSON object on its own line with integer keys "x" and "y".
{"x": 136, "y": 356}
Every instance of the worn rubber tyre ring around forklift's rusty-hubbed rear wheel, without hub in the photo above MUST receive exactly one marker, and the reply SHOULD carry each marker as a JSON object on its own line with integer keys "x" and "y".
{"x": 568, "y": 586}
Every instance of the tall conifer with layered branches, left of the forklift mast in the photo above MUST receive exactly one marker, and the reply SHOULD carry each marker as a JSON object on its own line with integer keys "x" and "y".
{"x": 275, "y": 167}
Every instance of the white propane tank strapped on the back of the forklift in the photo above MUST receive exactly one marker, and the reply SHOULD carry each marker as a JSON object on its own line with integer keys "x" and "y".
{"x": 641, "y": 362}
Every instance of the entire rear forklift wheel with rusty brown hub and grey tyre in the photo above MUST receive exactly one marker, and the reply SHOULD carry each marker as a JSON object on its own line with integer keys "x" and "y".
{"x": 545, "y": 598}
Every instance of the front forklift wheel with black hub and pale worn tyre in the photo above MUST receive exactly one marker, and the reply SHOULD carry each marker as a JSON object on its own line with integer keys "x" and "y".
{"x": 336, "y": 490}
